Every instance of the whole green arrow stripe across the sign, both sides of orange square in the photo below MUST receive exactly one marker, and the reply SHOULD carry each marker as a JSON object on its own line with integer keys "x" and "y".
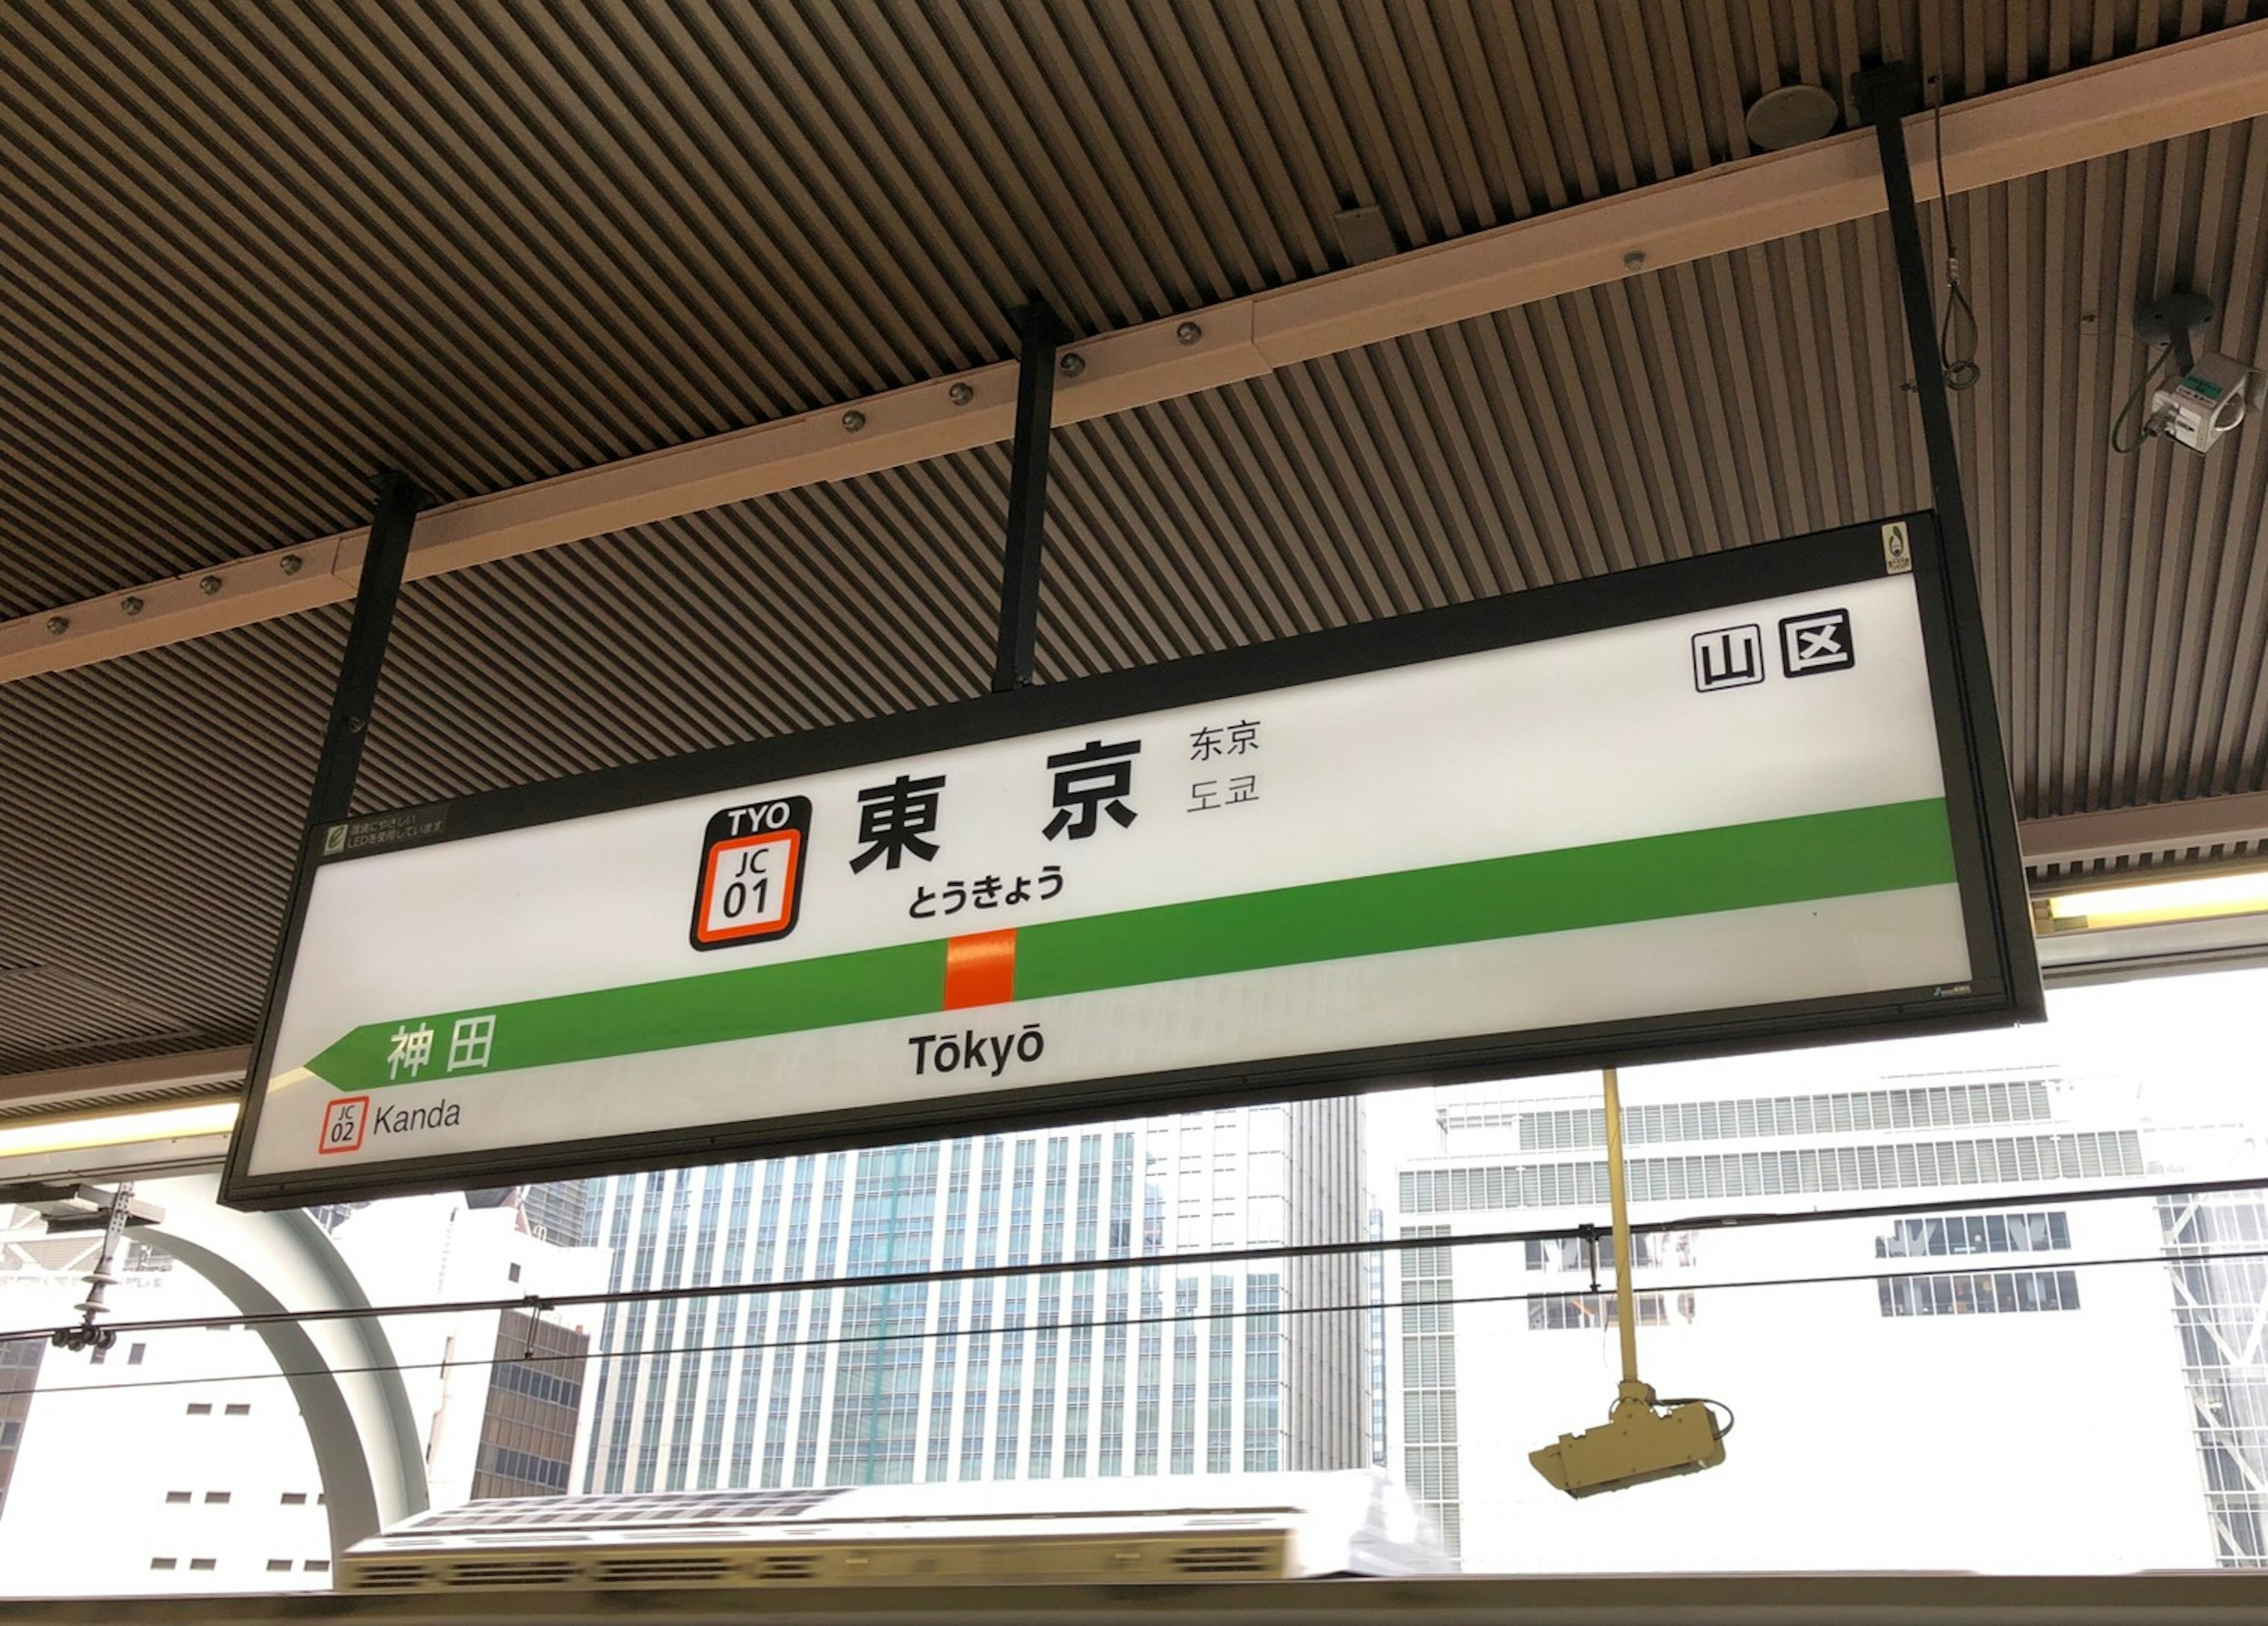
{"x": 1614, "y": 883}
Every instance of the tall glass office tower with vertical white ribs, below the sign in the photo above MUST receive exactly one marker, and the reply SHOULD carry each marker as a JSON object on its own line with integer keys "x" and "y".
{"x": 1137, "y": 1366}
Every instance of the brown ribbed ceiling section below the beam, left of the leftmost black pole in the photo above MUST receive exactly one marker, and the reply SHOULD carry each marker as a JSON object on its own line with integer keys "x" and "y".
{"x": 149, "y": 824}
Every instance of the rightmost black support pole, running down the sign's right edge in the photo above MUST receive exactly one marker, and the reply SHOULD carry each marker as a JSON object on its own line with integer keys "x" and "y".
{"x": 1886, "y": 96}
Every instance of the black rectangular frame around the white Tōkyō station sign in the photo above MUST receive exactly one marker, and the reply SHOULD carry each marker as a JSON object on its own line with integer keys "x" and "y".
{"x": 2004, "y": 988}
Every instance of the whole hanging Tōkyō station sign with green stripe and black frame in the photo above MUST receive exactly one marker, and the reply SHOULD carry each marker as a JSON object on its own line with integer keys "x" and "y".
{"x": 1709, "y": 806}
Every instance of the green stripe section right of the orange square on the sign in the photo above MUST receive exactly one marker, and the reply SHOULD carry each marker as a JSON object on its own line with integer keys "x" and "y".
{"x": 1652, "y": 879}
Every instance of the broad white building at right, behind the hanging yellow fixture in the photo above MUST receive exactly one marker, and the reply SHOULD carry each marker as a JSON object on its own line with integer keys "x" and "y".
{"x": 1913, "y": 1389}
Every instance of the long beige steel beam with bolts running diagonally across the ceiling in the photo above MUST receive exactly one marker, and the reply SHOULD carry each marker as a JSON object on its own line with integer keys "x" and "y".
{"x": 2070, "y": 119}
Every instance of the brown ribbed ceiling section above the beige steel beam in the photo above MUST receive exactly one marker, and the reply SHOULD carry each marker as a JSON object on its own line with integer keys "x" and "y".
{"x": 260, "y": 251}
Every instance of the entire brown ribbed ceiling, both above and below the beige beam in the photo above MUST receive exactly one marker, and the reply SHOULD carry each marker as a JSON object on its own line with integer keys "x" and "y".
{"x": 255, "y": 262}
